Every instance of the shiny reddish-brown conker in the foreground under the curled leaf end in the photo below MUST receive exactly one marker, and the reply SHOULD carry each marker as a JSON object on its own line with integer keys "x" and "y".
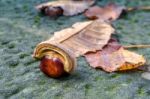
{"x": 52, "y": 67}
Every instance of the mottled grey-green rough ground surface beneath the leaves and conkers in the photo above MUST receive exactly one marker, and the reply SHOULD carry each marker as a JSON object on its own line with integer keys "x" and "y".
{"x": 21, "y": 28}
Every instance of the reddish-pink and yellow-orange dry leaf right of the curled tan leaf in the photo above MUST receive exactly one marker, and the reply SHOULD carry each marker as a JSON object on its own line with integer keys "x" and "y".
{"x": 113, "y": 57}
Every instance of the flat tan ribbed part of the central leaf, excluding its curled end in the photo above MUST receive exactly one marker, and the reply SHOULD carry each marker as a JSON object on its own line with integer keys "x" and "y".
{"x": 83, "y": 37}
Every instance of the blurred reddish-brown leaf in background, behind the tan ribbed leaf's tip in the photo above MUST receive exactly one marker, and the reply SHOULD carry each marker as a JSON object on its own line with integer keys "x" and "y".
{"x": 109, "y": 12}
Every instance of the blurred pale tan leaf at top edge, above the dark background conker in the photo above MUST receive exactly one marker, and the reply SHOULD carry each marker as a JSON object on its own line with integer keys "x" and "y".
{"x": 69, "y": 7}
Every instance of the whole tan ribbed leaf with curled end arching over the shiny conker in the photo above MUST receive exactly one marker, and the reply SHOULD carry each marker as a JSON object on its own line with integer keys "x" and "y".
{"x": 77, "y": 40}
